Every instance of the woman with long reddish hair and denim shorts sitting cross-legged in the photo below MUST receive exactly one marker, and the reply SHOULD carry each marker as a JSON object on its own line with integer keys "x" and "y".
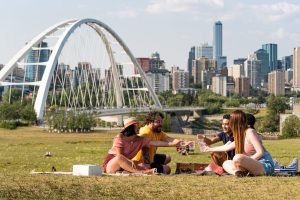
{"x": 251, "y": 157}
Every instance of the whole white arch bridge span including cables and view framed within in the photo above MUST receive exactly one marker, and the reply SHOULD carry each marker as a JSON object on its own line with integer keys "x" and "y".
{"x": 78, "y": 65}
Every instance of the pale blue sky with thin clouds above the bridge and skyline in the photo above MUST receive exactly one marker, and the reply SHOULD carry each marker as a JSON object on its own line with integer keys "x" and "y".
{"x": 170, "y": 27}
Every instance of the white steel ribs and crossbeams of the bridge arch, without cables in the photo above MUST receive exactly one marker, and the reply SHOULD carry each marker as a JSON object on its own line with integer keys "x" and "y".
{"x": 68, "y": 27}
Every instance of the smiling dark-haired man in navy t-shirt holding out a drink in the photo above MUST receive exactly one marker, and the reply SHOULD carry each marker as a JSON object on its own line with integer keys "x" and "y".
{"x": 225, "y": 136}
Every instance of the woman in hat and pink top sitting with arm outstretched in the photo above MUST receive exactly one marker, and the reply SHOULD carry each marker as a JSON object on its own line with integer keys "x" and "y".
{"x": 125, "y": 146}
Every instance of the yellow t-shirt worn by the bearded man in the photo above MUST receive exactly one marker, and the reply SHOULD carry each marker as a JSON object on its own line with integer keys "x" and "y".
{"x": 147, "y": 132}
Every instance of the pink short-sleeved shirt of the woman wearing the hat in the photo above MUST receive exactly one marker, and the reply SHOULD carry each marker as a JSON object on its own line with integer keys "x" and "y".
{"x": 130, "y": 148}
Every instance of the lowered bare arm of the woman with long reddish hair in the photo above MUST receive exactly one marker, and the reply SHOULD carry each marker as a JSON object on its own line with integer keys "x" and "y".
{"x": 253, "y": 138}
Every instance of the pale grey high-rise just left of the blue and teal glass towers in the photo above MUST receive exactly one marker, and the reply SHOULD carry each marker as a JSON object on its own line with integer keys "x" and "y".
{"x": 252, "y": 70}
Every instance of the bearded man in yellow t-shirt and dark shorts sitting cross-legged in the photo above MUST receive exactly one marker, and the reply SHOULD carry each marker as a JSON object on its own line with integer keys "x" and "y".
{"x": 153, "y": 130}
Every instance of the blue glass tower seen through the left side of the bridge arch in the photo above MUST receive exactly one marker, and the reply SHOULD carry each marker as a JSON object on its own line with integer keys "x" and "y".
{"x": 35, "y": 71}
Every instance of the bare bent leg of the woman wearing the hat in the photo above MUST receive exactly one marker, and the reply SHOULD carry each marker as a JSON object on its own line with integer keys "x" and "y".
{"x": 121, "y": 162}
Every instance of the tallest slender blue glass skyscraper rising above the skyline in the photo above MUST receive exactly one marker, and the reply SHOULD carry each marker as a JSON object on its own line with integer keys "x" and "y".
{"x": 218, "y": 45}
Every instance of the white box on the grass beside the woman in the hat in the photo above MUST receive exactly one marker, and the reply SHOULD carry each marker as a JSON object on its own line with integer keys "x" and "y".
{"x": 87, "y": 170}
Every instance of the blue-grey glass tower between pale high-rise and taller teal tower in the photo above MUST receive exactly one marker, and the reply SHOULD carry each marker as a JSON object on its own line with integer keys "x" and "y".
{"x": 263, "y": 56}
